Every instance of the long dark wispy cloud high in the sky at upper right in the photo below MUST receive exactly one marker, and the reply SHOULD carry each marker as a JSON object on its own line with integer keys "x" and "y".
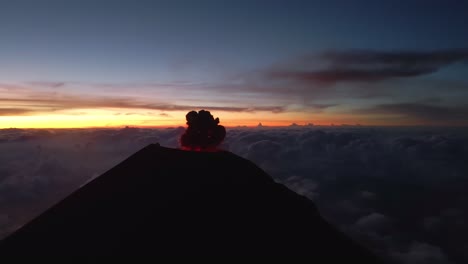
{"x": 367, "y": 66}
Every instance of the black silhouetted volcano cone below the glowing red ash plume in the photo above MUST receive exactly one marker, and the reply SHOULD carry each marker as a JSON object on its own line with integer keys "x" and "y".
{"x": 175, "y": 202}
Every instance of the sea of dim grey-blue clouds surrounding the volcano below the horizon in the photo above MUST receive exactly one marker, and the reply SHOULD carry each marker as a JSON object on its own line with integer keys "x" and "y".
{"x": 400, "y": 191}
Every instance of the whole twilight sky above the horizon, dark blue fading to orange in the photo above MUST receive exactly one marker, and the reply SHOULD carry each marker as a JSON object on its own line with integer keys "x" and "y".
{"x": 147, "y": 63}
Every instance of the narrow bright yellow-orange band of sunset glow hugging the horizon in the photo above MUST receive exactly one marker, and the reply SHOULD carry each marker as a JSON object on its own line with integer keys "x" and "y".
{"x": 118, "y": 118}
